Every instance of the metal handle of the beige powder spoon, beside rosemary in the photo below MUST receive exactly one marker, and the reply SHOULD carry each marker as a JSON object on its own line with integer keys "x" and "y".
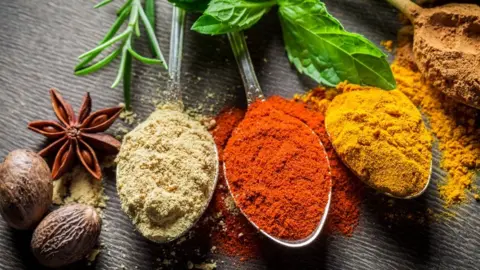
{"x": 175, "y": 55}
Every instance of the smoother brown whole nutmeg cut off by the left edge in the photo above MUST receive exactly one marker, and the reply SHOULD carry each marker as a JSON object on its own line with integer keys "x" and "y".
{"x": 25, "y": 189}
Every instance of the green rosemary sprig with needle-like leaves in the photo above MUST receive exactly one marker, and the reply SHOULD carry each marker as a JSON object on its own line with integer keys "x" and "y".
{"x": 133, "y": 10}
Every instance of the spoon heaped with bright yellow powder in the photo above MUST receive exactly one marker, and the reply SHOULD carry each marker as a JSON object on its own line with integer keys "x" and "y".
{"x": 381, "y": 137}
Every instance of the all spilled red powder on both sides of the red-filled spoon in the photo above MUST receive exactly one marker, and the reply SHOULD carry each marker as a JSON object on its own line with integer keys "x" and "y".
{"x": 232, "y": 234}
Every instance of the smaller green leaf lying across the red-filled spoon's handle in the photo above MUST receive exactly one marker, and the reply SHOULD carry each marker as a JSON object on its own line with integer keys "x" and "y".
{"x": 223, "y": 16}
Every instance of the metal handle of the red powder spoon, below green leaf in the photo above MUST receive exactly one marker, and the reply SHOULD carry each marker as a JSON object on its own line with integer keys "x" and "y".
{"x": 245, "y": 66}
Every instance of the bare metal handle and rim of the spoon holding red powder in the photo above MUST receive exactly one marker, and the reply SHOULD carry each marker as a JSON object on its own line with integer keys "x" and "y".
{"x": 254, "y": 92}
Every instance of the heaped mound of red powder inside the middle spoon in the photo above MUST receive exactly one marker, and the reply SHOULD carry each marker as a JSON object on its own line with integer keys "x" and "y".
{"x": 278, "y": 172}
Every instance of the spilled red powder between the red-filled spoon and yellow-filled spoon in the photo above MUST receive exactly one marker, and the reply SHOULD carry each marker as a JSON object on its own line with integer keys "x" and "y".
{"x": 344, "y": 212}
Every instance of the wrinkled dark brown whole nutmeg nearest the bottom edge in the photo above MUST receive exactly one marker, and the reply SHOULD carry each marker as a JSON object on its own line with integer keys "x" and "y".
{"x": 66, "y": 235}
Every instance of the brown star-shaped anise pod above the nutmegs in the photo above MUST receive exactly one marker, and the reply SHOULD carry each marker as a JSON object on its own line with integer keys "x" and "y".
{"x": 77, "y": 136}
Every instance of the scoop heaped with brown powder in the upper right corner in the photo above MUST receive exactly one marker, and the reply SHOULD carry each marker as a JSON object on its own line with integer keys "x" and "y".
{"x": 459, "y": 70}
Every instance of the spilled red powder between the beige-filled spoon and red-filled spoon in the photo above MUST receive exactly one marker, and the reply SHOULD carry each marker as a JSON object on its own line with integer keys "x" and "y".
{"x": 232, "y": 234}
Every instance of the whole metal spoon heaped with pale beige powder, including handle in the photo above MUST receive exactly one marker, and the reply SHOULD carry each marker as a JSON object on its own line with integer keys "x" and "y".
{"x": 167, "y": 167}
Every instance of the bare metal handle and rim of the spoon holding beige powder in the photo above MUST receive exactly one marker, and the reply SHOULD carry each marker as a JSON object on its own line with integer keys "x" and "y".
{"x": 175, "y": 97}
